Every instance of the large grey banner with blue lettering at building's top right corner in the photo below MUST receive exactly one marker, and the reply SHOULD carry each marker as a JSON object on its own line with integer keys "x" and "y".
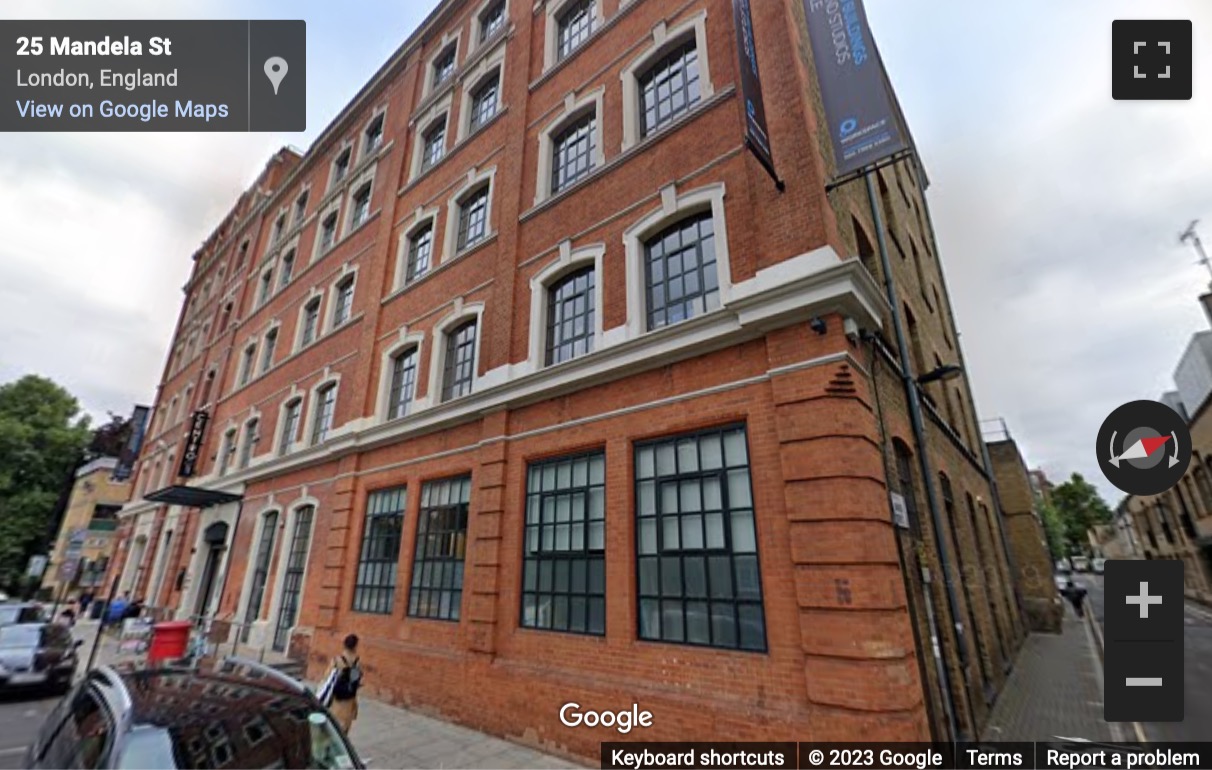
{"x": 865, "y": 122}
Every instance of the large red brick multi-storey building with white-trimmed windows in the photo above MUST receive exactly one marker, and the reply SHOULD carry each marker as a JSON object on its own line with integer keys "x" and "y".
{"x": 529, "y": 374}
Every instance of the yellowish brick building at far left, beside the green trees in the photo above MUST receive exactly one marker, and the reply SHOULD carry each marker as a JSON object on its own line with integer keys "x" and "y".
{"x": 85, "y": 543}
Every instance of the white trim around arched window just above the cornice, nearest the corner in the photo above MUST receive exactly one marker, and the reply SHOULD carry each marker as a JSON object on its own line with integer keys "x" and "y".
{"x": 674, "y": 207}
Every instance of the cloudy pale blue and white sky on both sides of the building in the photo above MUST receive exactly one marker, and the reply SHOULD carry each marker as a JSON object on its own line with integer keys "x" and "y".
{"x": 1057, "y": 209}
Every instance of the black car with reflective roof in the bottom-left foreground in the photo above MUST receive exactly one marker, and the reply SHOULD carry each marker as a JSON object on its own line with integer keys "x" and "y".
{"x": 237, "y": 715}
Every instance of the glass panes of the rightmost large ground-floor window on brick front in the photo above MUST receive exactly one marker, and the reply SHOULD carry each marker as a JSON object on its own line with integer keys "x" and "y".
{"x": 705, "y": 564}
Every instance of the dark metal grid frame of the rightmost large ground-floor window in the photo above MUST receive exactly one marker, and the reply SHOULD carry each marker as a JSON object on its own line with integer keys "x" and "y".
{"x": 713, "y": 563}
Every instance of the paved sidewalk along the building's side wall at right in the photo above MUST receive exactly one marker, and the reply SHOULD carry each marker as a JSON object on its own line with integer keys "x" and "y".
{"x": 1055, "y": 691}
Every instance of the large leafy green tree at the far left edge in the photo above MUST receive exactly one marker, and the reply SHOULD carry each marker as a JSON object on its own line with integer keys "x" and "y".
{"x": 43, "y": 437}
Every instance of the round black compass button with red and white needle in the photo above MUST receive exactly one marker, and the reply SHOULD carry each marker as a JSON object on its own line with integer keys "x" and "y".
{"x": 1144, "y": 448}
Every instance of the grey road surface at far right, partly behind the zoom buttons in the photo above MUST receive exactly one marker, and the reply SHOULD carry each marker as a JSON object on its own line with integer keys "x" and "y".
{"x": 1197, "y": 725}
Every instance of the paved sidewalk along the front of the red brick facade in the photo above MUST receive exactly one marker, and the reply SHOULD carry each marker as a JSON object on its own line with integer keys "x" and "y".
{"x": 387, "y": 737}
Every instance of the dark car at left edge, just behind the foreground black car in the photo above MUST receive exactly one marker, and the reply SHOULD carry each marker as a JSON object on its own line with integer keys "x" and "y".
{"x": 37, "y": 655}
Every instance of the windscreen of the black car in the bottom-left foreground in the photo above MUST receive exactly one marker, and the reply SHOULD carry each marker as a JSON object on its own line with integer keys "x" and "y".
{"x": 278, "y": 744}
